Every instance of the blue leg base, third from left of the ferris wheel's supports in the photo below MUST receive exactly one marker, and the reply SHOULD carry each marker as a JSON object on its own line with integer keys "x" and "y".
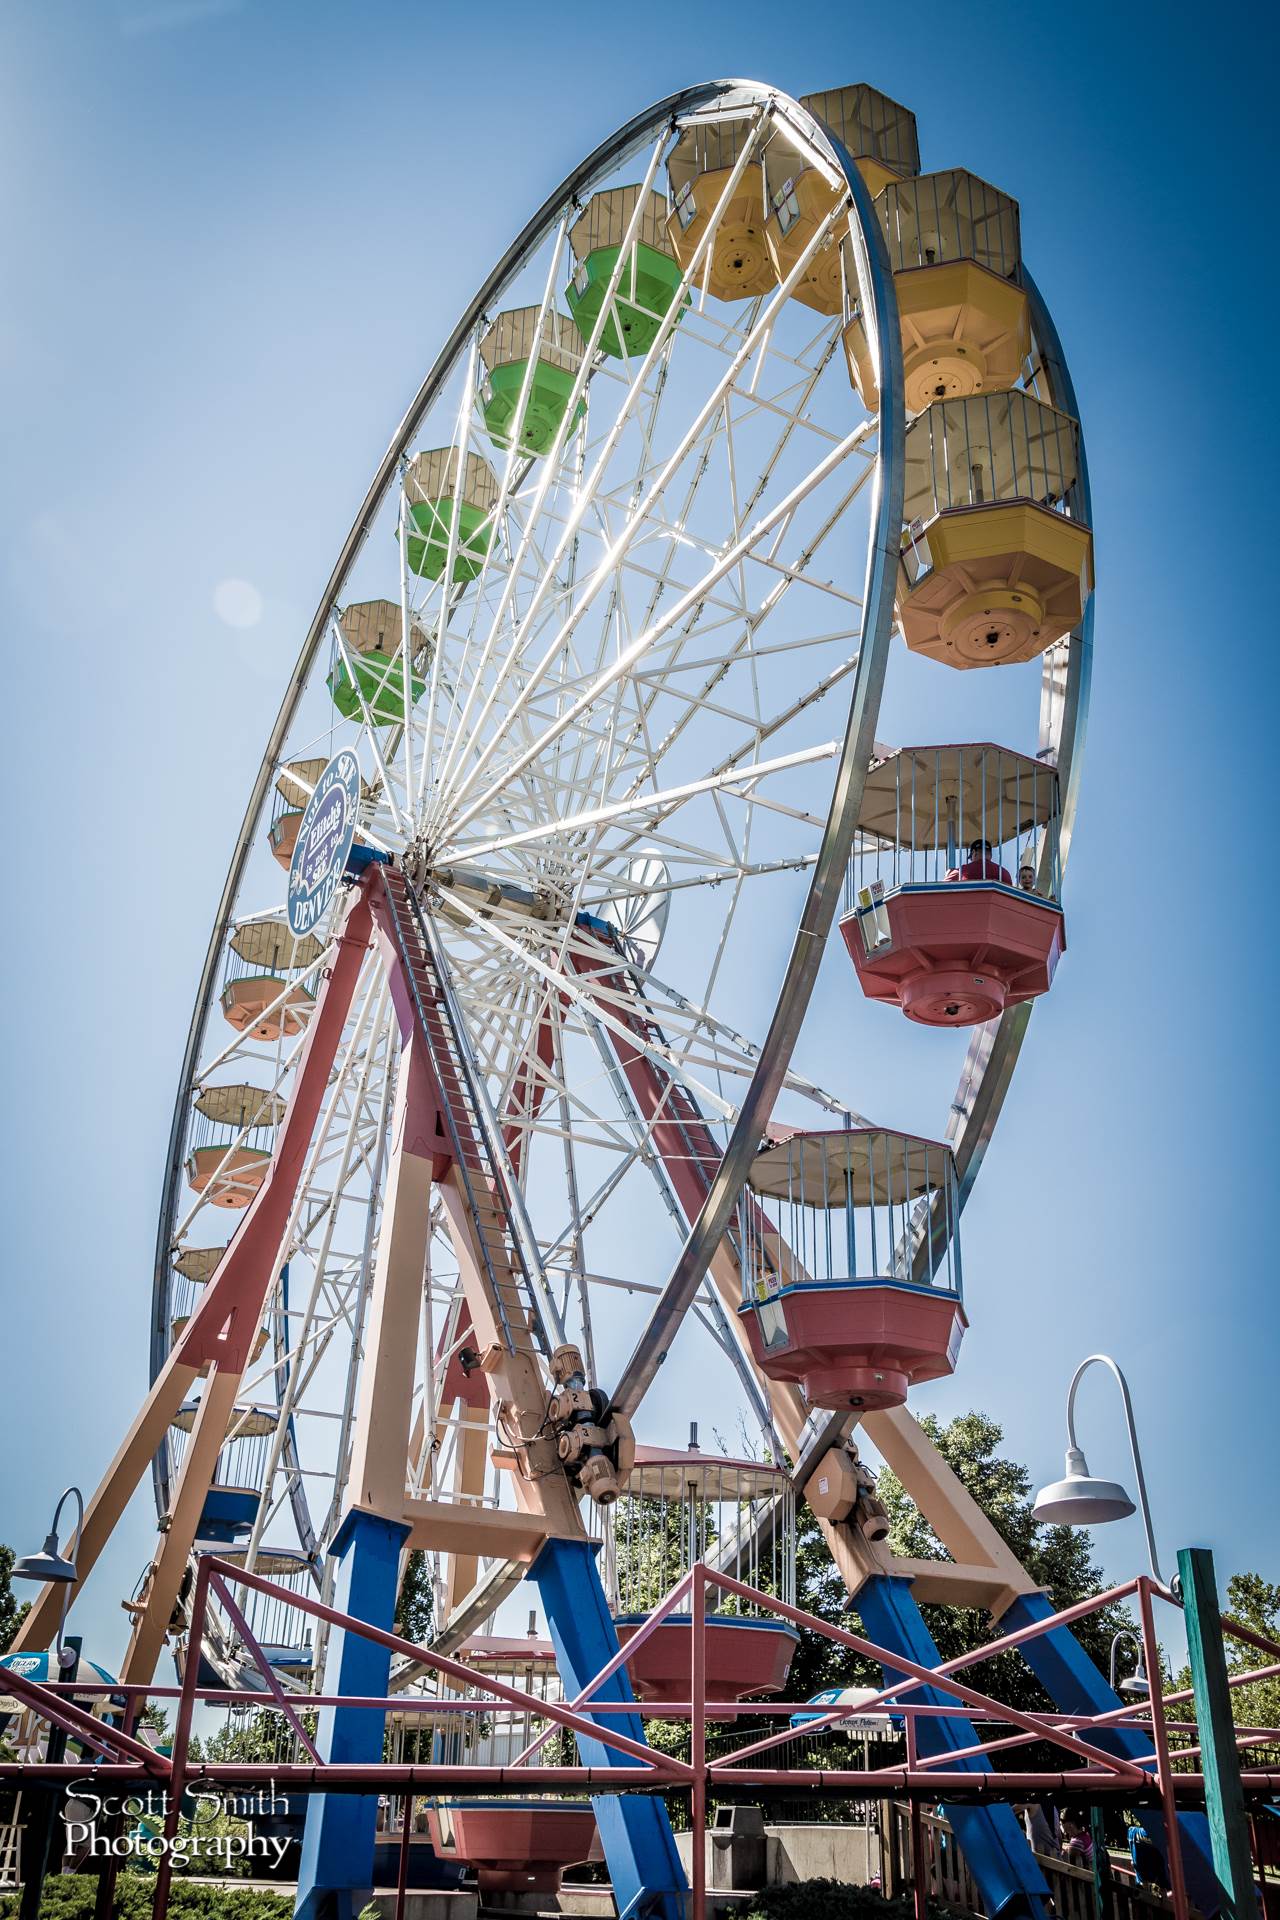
{"x": 991, "y": 1838}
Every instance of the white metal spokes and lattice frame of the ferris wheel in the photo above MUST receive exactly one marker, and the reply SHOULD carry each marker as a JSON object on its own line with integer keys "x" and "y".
{"x": 431, "y": 788}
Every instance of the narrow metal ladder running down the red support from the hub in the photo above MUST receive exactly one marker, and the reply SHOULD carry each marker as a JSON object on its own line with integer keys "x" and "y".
{"x": 471, "y": 1128}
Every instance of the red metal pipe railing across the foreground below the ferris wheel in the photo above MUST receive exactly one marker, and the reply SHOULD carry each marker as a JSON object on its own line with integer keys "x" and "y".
{"x": 1091, "y": 1771}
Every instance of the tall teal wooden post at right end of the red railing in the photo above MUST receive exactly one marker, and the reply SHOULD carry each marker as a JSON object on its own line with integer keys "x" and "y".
{"x": 1229, "y": 1829}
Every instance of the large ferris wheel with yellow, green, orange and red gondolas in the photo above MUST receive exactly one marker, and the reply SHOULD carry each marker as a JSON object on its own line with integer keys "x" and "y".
{"x": 751, "y": 423}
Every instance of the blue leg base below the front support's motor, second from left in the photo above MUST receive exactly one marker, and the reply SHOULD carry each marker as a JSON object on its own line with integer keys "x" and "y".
{"x": 634, "y": 1831}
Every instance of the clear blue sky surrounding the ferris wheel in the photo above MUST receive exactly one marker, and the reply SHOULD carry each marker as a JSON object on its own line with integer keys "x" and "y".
{"x": 233, "y": 237}
